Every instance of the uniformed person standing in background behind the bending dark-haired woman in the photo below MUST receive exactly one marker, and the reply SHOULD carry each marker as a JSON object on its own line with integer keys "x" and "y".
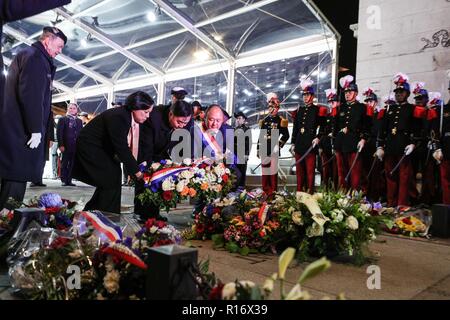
{"x": 68, "y": 130}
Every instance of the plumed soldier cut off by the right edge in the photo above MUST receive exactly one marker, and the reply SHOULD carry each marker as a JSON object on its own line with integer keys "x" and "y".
{"x": 440, "y": 134}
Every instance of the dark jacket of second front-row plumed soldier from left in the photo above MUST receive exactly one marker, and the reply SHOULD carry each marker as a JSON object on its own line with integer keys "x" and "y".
{"x": 309, "y": 124}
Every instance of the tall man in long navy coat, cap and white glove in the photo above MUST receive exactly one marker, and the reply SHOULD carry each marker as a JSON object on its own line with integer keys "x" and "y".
{"x": 25, "y": 116}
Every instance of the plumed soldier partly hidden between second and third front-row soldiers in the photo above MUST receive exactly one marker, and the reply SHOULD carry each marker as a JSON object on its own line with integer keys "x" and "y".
{"x": 326, "y": 151}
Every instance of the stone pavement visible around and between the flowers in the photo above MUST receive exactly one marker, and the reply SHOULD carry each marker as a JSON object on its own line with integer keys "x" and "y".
{"x": 410, "y": 268}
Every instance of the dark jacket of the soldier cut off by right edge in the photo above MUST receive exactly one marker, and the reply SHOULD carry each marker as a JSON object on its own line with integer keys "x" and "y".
{"x": 441, "y": 140}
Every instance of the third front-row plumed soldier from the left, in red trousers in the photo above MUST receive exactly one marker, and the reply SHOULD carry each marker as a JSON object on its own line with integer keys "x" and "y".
{"x": 351, "y": 131}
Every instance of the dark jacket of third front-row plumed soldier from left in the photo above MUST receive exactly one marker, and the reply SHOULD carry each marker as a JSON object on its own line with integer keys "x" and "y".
{"x": 351, "y": 124}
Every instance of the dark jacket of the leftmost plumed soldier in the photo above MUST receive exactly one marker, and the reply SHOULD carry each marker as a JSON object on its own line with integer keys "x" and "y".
{"x": 267, "y": 126}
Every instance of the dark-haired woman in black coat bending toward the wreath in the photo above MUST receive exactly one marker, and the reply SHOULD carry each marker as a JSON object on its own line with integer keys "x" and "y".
{"x": 103, "y": 144}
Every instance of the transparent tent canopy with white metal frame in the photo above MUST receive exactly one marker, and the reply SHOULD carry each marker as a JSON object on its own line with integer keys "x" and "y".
{"x": 230, "y": 52}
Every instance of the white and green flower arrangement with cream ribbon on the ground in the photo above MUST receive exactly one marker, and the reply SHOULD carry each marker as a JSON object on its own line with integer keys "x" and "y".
{"x": 331, "y": 224}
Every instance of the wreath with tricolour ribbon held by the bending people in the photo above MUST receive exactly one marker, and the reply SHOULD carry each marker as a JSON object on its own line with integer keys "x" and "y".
{"x": 168, "y": 183}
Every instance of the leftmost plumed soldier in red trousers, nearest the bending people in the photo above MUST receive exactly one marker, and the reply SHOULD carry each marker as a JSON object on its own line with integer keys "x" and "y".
{"x": 270, "y": 154}
